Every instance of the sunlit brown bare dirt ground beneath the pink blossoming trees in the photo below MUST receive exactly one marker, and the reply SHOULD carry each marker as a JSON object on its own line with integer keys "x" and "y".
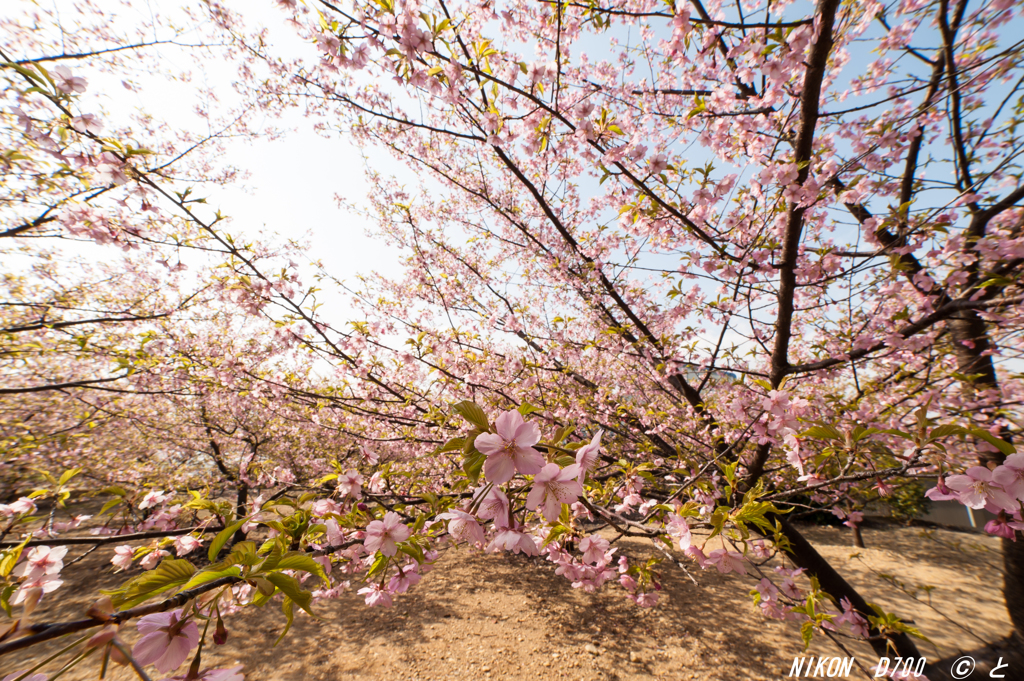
{"x": 497, "y": 617}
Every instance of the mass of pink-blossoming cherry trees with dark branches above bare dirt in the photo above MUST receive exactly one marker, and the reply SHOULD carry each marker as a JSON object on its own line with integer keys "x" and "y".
{"x": 673, "y": 272}
